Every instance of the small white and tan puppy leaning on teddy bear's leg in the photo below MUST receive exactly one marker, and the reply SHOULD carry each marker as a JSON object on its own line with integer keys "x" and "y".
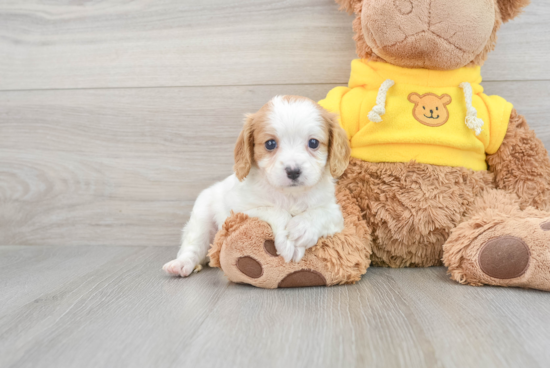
{"x": 286, "y": 160}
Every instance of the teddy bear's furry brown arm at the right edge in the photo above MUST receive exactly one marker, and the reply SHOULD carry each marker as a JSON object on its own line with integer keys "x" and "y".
{"x": 521, "y": 165}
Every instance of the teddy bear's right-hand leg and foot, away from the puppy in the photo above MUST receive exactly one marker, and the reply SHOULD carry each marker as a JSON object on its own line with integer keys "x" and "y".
{"x": 499, "y": 244}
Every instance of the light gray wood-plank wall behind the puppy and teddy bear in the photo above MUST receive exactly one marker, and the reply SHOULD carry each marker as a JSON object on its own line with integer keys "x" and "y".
{"x": 115, "y": 114}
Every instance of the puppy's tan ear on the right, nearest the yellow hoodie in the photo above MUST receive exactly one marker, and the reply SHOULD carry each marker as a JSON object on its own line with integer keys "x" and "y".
{"x": 338, "y": 145}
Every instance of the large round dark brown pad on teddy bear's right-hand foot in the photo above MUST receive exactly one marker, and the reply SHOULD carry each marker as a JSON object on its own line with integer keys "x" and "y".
{"x": 505, "y": 257}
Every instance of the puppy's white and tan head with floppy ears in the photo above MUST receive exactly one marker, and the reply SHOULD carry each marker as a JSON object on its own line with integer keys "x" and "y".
{"x": 294, "y": 142}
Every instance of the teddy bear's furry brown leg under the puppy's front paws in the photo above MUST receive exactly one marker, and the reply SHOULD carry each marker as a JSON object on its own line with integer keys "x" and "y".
{"x": 244, "y": 249}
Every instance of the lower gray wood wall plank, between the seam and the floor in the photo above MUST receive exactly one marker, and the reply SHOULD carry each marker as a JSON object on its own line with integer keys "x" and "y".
{"x": 123, "y": 167}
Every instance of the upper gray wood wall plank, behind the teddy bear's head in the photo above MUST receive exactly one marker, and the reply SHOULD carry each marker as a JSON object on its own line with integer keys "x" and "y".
{"x": 92, "y": 44}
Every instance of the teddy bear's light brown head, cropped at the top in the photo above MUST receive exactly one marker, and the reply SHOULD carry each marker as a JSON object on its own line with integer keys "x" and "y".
{"x": 432, "y": 34}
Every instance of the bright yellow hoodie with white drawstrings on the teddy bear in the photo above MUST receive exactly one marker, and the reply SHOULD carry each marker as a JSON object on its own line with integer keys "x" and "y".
{"x": 394, "y": 114}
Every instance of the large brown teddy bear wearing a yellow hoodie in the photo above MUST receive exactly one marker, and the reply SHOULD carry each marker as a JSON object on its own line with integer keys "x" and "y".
{"x": 440, "y": 172}
